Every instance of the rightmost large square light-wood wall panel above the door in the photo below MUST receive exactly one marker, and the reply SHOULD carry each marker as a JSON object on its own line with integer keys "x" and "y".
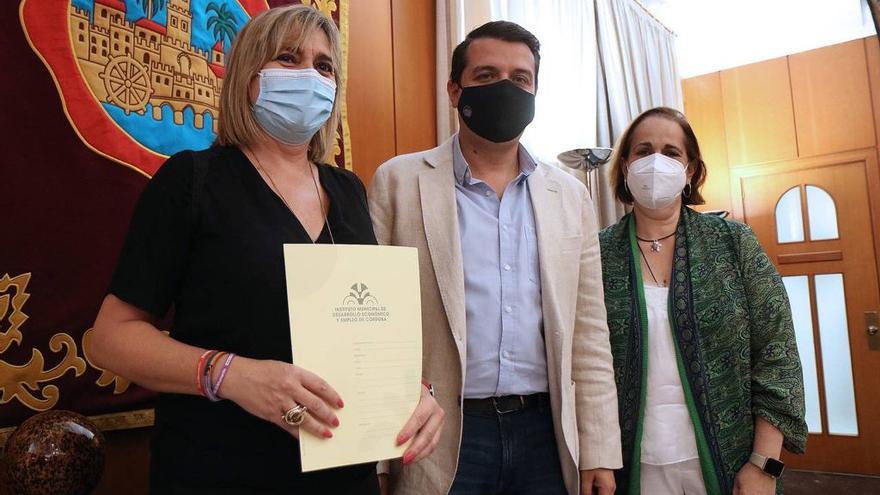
{"x": 832, "y": 99}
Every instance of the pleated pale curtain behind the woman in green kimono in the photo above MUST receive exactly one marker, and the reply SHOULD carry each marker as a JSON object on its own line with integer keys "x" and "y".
{"x": 637, "y": 70}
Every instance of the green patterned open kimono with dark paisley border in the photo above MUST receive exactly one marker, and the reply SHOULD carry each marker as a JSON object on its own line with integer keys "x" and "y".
{"x": 731, "y": 323}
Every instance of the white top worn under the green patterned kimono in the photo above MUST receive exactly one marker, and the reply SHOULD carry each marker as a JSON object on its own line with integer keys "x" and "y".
{"x": 668, "y": 435}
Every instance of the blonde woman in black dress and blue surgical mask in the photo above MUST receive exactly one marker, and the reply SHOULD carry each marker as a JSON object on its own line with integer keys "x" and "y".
{"x": 206, "y": 237}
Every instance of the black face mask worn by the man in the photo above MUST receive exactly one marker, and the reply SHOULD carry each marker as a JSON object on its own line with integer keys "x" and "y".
{"x": 498, "y": 112}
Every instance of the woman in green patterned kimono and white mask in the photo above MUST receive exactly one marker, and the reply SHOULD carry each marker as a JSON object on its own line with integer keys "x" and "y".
{"x": 707, "y": 369}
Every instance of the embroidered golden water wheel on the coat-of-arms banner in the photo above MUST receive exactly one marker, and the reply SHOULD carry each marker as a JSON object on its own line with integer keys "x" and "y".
{"x": 127, "y": 83}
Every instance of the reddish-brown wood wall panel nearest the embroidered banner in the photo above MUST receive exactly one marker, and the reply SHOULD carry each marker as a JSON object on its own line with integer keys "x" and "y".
{"x": 370, "y": 85}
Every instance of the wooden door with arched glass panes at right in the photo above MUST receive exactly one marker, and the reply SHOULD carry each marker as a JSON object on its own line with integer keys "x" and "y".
{"x": 814, "y": 219}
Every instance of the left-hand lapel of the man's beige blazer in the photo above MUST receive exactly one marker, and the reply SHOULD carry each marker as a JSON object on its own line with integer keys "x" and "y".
{"x": 440, "y": 218}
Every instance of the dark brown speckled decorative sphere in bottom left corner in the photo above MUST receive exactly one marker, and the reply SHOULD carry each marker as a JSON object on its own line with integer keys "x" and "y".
{"x": 54, "y": 453}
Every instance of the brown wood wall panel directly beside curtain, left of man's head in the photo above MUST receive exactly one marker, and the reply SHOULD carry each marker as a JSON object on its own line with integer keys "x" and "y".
{"x": 413, "y": 31}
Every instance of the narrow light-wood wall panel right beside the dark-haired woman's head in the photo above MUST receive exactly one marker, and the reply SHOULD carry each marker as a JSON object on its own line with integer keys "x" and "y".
{"x": 704, "y": 109}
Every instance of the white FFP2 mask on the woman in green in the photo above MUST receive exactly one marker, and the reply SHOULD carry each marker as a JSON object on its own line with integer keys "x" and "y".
{"x": 656, "y": 180}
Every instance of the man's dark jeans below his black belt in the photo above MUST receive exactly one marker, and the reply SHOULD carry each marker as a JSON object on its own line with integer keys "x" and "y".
{"x": 509, "y": 454}
